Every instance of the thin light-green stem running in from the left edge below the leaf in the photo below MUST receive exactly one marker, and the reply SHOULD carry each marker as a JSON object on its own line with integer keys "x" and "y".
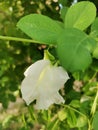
{"x": 19, "y": 39}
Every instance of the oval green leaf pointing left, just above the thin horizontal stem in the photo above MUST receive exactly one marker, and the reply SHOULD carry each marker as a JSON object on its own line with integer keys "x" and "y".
{"x": 41, "y": 28}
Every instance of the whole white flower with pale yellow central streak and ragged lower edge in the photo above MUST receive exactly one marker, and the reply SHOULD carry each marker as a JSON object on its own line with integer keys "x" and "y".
{"x": 42, "y": 82}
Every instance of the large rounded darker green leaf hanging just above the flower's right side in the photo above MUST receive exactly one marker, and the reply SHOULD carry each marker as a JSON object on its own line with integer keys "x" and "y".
{"x": 74, "y": 49}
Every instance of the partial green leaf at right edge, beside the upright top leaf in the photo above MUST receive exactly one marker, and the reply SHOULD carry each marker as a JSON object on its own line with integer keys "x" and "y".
{"x": 94, "y": 28}
